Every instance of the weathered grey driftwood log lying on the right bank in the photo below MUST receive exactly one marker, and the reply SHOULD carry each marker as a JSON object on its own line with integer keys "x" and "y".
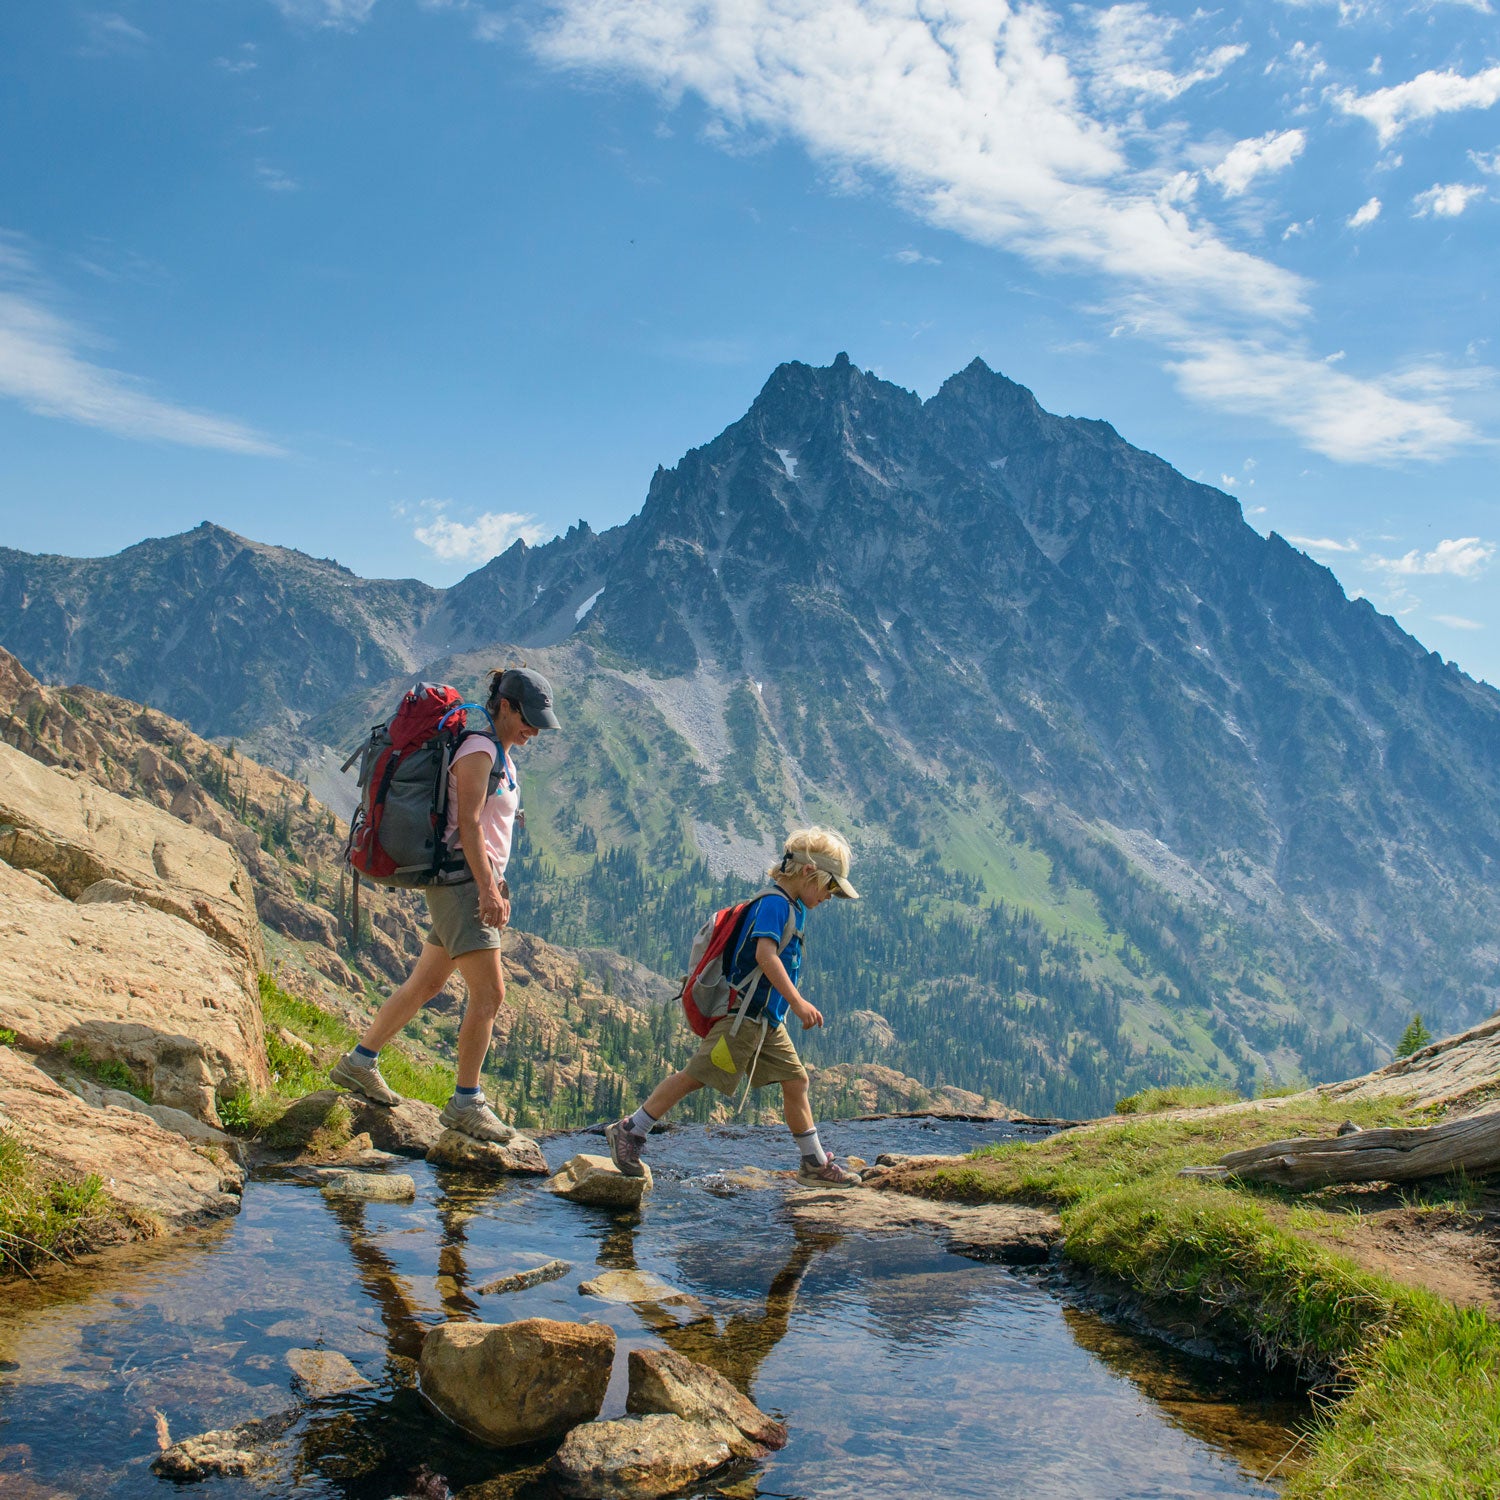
{"x": 1375, "y": 1156}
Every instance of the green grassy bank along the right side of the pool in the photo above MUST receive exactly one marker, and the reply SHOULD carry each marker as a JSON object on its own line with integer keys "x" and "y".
{"x": 1418, "y": 1379}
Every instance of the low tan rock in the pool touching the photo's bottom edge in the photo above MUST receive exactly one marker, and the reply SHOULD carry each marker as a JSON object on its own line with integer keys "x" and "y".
{"x": 640, "y": 1459}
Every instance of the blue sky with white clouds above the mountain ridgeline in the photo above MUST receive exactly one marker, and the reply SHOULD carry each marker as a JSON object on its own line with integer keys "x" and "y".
{"x": 397, "y": 281}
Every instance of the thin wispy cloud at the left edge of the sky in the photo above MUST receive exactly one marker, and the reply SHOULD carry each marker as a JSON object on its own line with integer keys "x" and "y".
{"x": 44, "y": 370}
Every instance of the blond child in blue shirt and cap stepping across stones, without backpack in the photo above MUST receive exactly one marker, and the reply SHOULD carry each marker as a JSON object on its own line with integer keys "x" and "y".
{"x": 815, "y": 866}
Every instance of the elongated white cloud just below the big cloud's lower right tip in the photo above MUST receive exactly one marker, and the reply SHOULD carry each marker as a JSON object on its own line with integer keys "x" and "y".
{"x": 1342, "y": 416}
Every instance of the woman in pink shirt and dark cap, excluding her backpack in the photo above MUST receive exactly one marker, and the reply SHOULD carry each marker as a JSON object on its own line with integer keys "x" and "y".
{"x": 467, "y": 917}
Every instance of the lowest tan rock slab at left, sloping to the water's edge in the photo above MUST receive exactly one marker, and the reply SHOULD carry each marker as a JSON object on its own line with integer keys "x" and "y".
{"x": 158, "y": 1177}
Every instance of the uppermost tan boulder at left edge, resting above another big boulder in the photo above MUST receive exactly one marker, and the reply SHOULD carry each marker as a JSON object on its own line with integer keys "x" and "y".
{"x": 88, "y": 839}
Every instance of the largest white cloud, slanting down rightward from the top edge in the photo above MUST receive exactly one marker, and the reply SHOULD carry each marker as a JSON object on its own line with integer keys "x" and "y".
{"x": 968, "y": 110}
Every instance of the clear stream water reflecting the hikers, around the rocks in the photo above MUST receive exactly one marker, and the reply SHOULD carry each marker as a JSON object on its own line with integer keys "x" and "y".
{"x": 901, "y": 1369}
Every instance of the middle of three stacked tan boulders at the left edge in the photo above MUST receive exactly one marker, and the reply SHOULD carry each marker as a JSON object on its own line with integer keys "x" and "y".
{"x": 131, "y": 985}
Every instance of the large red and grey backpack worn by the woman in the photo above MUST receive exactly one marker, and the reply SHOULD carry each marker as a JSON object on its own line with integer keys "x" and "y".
{"x": 397, "y": 836}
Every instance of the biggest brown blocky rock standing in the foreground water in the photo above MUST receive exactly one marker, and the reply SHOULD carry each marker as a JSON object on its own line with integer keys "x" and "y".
{"x": 517, "y": 1384}
